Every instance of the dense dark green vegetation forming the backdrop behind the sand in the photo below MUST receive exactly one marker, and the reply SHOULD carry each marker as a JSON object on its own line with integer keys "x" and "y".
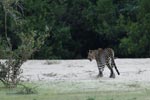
{"x": 75, "y": 26}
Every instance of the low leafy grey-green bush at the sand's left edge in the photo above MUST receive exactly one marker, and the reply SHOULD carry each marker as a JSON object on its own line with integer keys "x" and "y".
{"x": 10, "y": 69}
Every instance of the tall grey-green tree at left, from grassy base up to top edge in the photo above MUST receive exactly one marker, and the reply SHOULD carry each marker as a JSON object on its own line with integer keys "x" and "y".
{"x": 16, "y": 54}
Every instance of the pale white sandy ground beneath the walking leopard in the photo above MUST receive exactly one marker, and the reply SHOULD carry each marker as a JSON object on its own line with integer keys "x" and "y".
{"x": 70, "y": 75}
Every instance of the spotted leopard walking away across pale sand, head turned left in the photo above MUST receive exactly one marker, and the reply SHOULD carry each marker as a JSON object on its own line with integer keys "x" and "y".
{"x": 104, "y": 57}
